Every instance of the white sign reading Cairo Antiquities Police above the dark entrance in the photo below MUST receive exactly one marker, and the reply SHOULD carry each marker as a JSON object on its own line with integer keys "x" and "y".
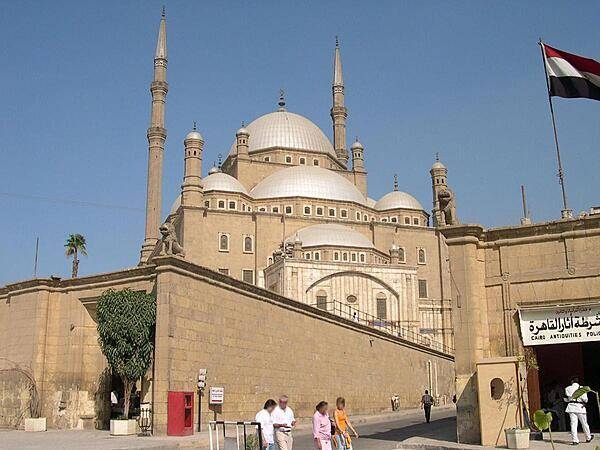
{"x": 560, "y": 325}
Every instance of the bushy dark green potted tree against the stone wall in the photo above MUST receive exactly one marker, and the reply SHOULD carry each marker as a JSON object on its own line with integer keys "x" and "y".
{"x": 126, "y": 321}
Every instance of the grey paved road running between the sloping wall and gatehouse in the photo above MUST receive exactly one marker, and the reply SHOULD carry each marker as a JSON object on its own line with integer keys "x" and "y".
{"x": 386, "y": 435}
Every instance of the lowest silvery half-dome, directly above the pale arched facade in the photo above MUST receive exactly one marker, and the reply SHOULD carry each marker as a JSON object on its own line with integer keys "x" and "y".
{"x": 330, "y": 234}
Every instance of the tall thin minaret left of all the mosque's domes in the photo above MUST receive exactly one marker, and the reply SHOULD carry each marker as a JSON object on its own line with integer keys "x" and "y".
{"x": 157, "y": 134}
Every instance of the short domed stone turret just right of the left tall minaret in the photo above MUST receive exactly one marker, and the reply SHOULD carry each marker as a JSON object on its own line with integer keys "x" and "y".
{"x": 191, "y": 189}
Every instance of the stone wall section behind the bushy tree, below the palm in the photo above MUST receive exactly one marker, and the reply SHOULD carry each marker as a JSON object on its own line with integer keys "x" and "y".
{"x": 48, "y": 335}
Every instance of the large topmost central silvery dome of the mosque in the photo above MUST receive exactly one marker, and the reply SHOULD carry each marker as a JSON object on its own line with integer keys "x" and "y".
{"x": 283, "y": 129}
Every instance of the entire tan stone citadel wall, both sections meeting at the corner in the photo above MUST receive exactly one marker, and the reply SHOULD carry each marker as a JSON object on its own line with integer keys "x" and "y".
{"x": 254, "y": 343}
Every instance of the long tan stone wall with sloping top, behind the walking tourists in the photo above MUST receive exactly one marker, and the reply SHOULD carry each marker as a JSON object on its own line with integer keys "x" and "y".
{"x": 258, "y": 345}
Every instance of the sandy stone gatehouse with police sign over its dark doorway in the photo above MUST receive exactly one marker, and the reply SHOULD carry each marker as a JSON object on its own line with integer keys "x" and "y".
{"x": 526, "y": 297}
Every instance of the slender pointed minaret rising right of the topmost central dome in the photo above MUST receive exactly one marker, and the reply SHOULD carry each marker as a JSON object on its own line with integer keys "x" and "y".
{"x": 339, "y": 111}
